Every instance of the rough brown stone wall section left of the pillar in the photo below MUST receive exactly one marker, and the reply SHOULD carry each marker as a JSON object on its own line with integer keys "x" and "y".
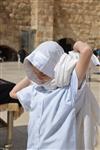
{"x": 15, "y": 15}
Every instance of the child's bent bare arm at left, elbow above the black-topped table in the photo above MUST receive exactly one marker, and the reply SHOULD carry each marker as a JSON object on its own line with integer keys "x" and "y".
{"x": 20, "y": 85}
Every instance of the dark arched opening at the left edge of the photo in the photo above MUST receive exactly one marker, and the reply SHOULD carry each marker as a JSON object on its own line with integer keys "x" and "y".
{"x": 7, "y": 54}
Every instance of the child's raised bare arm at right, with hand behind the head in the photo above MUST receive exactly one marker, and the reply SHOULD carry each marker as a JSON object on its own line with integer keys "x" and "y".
{"x": 85, "y": 56}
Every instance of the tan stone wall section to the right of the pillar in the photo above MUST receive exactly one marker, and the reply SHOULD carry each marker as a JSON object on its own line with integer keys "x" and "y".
{"x": 78, "y": 19}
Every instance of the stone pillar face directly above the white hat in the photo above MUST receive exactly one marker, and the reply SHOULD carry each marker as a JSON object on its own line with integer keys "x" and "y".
{"x": 45, "y": 20}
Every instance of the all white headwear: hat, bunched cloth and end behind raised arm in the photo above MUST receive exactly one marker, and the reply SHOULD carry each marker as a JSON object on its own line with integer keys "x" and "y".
{"x": 49, "y": 58}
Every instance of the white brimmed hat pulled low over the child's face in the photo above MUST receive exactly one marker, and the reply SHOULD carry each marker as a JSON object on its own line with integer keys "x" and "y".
{"x": 44, "y": 58}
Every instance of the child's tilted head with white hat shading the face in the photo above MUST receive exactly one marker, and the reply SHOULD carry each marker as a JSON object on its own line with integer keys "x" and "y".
{"x": 40, "y": 64}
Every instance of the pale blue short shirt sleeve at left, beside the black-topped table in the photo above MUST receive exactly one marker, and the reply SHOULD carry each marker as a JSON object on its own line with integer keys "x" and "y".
{"x": 25, "y": 96}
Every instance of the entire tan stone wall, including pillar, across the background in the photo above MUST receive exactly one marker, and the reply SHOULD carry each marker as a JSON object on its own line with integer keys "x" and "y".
{"x": 49, "y": 20}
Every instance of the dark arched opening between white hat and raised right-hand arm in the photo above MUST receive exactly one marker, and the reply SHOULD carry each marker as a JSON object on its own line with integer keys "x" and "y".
{"x": 66, "y": 44}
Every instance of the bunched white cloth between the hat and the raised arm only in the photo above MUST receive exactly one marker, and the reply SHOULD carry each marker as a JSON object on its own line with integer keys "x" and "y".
{"x": 64, "y": 69}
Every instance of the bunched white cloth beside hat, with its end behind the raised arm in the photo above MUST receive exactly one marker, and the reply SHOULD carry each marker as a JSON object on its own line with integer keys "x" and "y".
{"x": 65, "y": 67}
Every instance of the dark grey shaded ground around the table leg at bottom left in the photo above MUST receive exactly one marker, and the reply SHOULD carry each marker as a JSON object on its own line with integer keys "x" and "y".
{"x": 19, "y": 138}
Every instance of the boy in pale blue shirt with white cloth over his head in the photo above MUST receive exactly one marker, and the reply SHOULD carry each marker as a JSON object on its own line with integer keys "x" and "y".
{"x": 57, "y": 98}
